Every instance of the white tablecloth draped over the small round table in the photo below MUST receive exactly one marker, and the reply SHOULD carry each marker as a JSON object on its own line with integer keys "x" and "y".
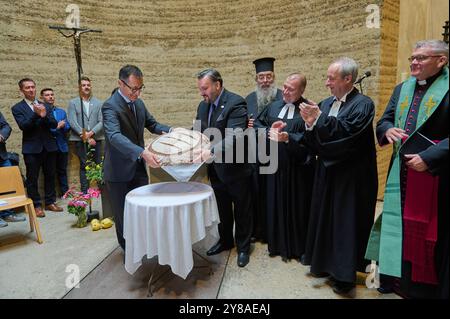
{"x": 165, "y": 219}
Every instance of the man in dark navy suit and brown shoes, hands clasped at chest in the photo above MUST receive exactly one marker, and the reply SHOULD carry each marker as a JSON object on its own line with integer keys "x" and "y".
{"x": 38, "y": 145}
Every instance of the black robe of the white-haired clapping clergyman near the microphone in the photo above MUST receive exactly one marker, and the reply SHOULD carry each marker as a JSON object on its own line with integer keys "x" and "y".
{"x": 345, "y": 188}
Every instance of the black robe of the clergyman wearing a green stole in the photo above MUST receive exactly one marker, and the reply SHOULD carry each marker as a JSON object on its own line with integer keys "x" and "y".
{"x": 436, "y": 128}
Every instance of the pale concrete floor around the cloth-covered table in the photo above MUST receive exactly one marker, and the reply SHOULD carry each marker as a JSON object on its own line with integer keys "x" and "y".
{"x": 47, "y": 270}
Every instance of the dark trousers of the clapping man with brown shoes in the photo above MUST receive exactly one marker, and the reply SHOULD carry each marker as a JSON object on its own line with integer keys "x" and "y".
{"x": 33, "y": 163}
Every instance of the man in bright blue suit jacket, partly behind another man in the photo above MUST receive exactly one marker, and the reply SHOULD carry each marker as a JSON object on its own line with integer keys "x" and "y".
{"x": 60, "y": 133}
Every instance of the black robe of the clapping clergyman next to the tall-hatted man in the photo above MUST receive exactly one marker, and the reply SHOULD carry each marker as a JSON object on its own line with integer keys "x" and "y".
{"x": 288, "y": 190}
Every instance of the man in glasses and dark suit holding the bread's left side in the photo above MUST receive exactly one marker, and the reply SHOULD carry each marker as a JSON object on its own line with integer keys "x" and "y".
{"x": 124, "y": 119}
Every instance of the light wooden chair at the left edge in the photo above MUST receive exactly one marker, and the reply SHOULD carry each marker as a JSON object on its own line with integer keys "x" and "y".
{"x": 13, "y": 193}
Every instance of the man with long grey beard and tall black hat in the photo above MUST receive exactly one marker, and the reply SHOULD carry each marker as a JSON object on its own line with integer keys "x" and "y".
{"x": 257, "y": 101}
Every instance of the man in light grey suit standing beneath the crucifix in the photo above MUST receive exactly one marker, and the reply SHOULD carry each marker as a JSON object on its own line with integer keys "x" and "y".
{"x": 93, "y": 126}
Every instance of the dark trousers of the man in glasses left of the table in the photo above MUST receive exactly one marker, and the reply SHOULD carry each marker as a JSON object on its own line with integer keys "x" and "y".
{"x": 117, "y": 193}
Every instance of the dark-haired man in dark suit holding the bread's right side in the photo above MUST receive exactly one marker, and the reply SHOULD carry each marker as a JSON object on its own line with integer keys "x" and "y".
{"x": 223, "y": 110}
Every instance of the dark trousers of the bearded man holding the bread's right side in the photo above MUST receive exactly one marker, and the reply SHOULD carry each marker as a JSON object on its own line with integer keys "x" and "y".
{"x": 234, "y": 195}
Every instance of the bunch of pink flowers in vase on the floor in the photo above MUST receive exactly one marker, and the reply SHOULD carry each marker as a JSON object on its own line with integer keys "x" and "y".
{"x": 78, "y": 202}
